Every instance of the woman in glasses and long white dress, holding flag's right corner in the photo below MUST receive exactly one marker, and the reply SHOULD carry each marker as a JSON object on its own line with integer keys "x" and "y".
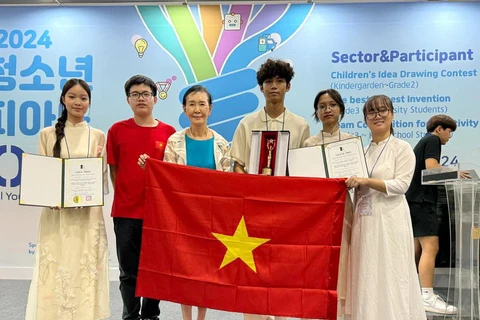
{"x": 384, "y": 282}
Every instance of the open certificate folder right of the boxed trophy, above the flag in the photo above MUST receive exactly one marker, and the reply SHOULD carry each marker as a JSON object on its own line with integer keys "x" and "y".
{"x": 339, "y": 159}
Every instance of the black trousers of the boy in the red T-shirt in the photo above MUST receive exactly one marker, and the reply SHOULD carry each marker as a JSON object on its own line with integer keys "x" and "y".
{"x": 128, "y": 233}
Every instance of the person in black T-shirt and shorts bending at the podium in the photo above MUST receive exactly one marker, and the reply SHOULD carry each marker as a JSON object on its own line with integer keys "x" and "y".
{"x": 422, "y": 201}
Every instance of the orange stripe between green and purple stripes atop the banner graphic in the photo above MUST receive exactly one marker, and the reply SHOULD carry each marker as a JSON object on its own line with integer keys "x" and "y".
{"x": 212, "y": 28}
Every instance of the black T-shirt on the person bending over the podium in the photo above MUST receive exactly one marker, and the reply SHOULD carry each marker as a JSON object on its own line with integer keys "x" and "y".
{"x": 428, "y": 147}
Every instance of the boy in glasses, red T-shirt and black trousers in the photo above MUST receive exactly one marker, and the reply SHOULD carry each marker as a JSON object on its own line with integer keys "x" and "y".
{"x": 126, "y": 141}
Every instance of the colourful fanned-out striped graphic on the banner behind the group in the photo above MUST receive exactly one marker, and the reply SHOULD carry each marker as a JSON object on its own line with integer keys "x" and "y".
{"x": 201, "y": 41}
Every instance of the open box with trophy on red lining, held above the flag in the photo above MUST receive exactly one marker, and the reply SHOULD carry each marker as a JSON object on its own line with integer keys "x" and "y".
{"x": 268, "y": 152}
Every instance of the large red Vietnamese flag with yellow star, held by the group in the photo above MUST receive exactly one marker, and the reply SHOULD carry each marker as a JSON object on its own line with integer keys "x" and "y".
{"x": 242, "y": 243}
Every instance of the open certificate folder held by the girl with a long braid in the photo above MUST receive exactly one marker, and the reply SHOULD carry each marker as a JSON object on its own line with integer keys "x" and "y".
{"x": 64, "y": 183}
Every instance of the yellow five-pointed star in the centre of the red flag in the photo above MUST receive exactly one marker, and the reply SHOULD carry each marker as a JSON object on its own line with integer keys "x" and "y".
{"x": 240, "y": 246}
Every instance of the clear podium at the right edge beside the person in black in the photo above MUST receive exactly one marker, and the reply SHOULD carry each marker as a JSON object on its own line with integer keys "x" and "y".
{"x": 463, "y": 198}
